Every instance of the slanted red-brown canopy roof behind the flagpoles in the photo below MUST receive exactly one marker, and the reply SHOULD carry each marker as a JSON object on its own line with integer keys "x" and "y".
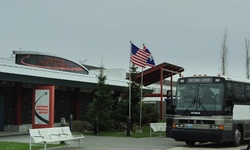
{"x": 154, "y": 74}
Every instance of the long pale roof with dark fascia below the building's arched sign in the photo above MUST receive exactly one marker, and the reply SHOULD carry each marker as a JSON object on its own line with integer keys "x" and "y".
{"x": 9, "y": 71}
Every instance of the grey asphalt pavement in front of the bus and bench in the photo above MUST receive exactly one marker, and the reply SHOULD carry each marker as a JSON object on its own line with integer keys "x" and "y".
{"x": 127, "y": 143}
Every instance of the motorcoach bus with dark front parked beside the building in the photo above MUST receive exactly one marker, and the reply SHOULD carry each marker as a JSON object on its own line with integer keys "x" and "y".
{"x": 210, "y": 109}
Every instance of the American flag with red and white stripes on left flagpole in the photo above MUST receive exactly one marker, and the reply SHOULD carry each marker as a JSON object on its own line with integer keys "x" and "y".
{"x": 139, "y": 56}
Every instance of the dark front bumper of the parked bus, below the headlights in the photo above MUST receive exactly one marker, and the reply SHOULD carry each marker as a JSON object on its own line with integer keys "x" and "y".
{"x": 202, "y": 135}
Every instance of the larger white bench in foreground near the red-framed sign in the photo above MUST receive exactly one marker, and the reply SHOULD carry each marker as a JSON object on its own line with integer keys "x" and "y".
{"x": 50, "y": 135}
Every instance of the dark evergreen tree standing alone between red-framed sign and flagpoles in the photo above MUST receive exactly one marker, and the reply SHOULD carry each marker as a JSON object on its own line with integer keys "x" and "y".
{"x": 101, "y": 107}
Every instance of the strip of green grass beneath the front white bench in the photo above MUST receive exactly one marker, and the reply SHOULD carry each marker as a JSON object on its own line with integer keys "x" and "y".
{"x": 22, "y": 146}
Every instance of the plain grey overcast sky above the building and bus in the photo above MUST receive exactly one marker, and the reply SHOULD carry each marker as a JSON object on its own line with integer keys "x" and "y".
{"x": 187, "y": 33}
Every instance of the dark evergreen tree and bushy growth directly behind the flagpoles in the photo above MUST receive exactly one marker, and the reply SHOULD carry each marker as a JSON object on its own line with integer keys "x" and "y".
{"x": 121, "y": 107}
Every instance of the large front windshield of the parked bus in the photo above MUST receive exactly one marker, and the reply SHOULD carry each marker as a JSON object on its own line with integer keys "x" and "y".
{"x": 206, "y": 98}
